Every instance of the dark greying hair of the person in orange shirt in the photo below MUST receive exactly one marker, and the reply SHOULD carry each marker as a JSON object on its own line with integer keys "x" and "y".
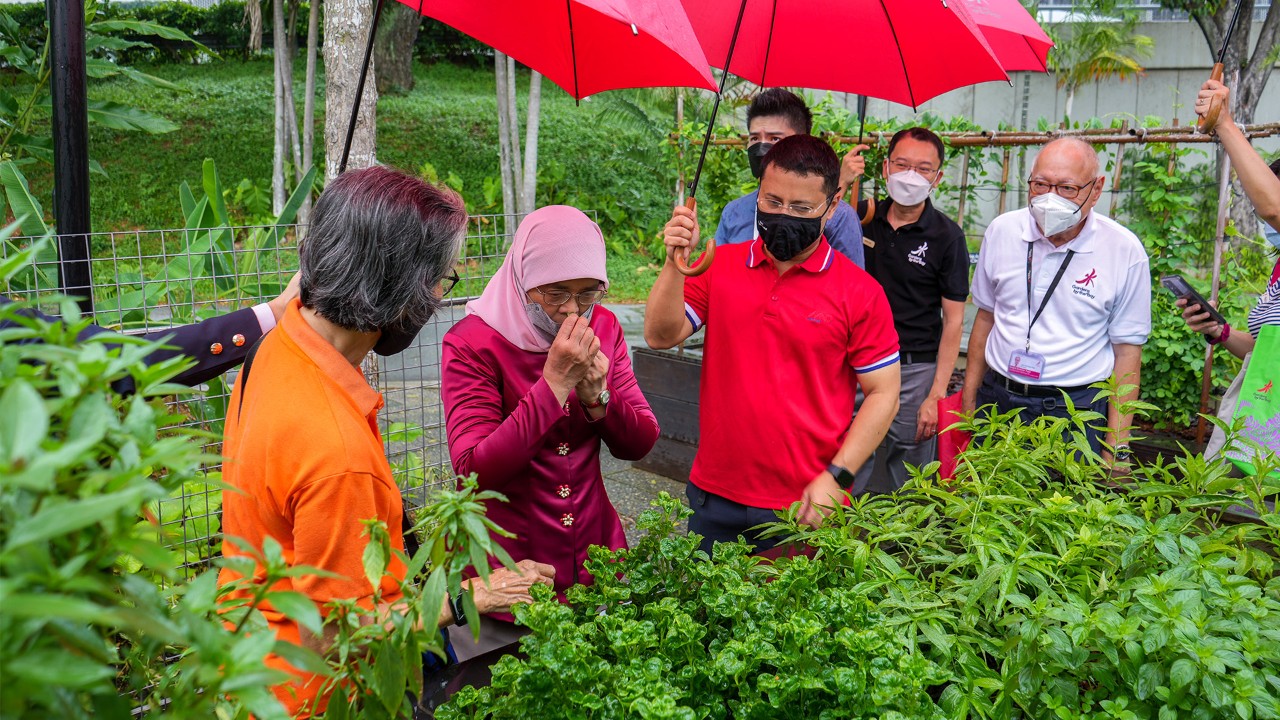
{"x": 380, "y": 244}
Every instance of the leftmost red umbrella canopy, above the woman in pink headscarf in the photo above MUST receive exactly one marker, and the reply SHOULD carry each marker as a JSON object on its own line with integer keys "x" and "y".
{"x": 586, "y": 47}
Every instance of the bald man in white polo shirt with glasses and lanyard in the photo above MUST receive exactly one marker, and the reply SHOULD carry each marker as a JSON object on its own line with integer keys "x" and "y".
{"x": 1064, "y": 300}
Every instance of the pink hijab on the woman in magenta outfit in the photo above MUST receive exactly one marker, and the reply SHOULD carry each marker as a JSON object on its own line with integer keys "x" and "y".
{"x": 554, "y": 244}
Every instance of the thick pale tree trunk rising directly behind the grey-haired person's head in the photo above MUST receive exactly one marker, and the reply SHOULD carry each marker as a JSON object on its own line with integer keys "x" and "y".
{"x": 346, "y": 24}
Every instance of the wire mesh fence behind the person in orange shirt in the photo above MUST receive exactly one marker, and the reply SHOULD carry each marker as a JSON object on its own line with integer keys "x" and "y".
{"x": 150, "y": 281}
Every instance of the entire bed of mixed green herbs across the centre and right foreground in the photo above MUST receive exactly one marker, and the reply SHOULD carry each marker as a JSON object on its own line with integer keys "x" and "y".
{"x": 1026, "y": 590}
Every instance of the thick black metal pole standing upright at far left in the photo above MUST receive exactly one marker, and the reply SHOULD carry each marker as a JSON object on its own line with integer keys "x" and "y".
{"x": 71, "y": 147}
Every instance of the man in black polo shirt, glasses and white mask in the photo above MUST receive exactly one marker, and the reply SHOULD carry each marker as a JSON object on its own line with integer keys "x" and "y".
{"x": 921, "y": 258}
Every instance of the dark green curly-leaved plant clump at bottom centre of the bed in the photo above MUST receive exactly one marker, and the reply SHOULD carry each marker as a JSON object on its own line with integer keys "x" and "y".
{"x": 665, "y": 634}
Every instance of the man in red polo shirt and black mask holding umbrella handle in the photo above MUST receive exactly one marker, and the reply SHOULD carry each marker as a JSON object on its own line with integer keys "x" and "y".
{"x": 793, "y": 327}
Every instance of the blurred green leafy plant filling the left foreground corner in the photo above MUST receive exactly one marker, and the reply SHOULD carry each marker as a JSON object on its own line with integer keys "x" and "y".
{"x": 95, "y": 618}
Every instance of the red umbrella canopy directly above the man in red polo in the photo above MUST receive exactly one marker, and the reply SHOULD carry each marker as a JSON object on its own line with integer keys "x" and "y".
{"x": 902, "y": 51}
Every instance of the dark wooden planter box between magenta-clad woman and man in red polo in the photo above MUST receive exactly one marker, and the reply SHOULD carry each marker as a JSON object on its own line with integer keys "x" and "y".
{"x": 671, "y": 382}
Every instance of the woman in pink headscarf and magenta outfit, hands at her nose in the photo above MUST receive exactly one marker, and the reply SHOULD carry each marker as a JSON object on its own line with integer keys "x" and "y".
{"x": 534, "y": 379}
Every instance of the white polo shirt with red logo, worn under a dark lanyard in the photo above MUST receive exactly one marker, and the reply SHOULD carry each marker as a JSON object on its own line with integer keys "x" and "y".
{"x": 1103, "y": 299}
